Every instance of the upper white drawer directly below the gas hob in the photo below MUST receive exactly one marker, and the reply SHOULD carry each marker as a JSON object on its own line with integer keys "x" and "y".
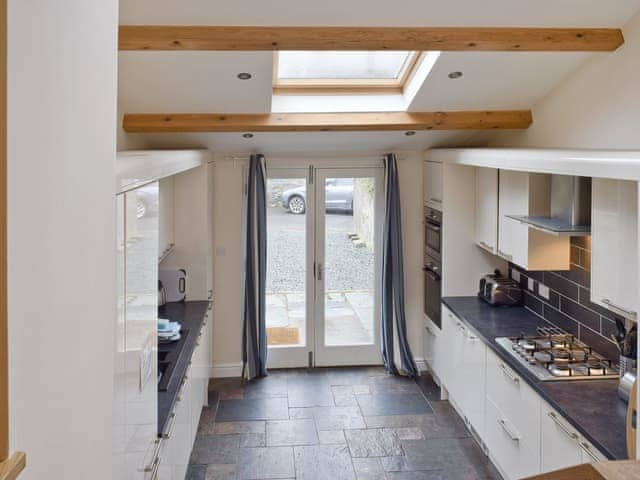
{"x": 513, "y": 396}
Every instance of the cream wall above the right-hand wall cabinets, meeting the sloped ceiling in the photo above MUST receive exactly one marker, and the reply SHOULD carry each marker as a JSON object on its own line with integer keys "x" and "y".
{"x": 598, "y": 106}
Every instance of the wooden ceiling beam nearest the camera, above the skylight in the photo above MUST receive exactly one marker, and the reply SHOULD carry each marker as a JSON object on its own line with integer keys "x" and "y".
{"x": 161, "y": 37}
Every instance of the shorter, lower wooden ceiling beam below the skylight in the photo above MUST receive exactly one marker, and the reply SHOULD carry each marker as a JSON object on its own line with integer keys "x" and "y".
{"x": 325, "y": 122}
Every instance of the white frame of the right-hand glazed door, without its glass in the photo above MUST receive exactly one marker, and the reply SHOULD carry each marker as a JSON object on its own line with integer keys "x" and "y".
{"x": 350, "y": 354}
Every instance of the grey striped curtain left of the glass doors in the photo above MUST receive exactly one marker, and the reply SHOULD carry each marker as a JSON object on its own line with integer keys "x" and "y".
{"x": 254, "y": 337}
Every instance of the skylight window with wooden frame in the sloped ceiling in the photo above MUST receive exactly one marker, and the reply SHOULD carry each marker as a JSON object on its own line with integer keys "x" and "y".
{"x": 304, "y": 71}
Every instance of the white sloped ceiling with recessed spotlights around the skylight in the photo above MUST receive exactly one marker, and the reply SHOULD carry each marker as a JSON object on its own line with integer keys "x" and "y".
{"x": 170, "y": 82}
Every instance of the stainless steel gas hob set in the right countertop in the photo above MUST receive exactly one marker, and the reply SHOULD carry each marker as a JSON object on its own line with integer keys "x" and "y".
{"x": 556, "y": 355}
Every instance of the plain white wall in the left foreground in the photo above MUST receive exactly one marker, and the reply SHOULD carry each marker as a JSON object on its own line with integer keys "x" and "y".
{"x": 61, "y": 176}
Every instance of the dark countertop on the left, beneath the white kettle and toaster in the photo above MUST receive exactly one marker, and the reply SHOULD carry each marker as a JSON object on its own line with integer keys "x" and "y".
{"x": 191, "y": 316}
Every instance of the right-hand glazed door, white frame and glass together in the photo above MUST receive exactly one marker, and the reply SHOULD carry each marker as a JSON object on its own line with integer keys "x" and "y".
{"x": 348, "y": 232}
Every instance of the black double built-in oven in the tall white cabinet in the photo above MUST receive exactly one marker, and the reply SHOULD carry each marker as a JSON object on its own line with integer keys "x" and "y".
{"x": 432, "y": 266}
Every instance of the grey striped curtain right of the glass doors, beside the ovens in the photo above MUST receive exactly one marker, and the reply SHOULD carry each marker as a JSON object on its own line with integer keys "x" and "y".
{"x": 394, "y": 327}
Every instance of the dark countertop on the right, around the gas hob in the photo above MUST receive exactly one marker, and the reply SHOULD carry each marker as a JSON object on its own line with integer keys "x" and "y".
{"x": 592, "y": 406}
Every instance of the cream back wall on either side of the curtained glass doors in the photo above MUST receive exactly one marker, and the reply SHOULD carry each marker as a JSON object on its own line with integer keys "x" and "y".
{"x": 227, "y": 217}
